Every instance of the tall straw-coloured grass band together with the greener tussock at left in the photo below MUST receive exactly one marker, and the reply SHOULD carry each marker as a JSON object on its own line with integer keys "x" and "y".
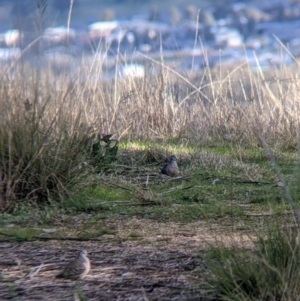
{"x": 46, "y": 119}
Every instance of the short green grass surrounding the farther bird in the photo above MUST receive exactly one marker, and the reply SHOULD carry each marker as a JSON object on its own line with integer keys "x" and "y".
{"x": 217, "y": 182}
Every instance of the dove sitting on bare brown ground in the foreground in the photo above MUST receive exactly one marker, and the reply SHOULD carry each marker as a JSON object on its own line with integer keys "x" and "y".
{"x": 77, "y": 268}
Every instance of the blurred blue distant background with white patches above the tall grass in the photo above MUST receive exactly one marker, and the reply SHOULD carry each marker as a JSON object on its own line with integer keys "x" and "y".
{"x": 191, "y": 34}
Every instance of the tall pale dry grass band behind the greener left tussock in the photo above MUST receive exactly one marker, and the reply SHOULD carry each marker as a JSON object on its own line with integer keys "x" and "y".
{"x": 234, "y": 104}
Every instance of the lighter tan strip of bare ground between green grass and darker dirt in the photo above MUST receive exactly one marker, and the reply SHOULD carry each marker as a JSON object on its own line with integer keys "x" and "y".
{"x": 191, "y": 237}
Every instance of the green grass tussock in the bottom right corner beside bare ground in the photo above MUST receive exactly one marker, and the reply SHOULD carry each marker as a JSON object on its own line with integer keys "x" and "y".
{"x": 271, "y": 272}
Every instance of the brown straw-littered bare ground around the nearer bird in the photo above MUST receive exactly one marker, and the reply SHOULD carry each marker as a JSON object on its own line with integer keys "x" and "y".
{"x": 163, "y": 261}
